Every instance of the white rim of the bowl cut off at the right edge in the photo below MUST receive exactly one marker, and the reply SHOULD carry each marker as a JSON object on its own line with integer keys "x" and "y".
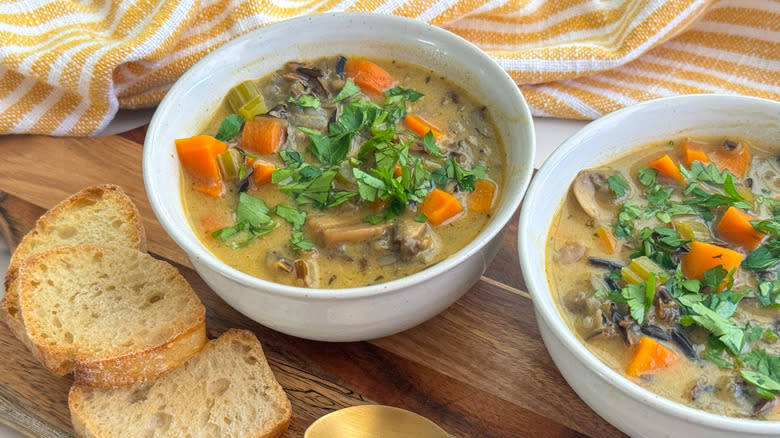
{"x": 548, "y": 312}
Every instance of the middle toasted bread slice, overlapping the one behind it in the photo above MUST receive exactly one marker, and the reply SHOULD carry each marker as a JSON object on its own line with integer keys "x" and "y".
{"x": 112, "y": 315}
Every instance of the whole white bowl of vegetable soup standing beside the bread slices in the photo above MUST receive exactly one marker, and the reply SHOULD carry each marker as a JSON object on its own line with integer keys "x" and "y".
{"x": 328, "y": 179}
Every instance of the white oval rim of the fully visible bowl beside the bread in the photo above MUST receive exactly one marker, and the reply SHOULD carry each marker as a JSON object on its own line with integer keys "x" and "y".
{"x": 191, "y": 245}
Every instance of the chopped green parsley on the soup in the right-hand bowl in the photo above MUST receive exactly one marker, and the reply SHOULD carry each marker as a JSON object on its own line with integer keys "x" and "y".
{"x": 708, "y": 302}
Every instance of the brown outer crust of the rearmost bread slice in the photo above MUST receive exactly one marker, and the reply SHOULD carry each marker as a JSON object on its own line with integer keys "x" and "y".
{"x": 9, "y": 305}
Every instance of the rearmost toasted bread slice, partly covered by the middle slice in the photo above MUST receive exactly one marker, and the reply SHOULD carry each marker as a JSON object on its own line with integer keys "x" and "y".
{"x": 99, "y": 214}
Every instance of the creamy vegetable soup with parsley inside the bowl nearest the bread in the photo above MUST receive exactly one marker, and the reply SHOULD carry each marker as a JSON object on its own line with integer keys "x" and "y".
{"x": 347, "y": 172}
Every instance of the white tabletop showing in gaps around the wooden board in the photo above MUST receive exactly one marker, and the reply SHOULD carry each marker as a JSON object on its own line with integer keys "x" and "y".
{"x": 549, "y": 134}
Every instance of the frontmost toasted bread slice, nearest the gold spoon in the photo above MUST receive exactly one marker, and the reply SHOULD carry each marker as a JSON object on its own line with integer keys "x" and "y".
{"x": 226, "y": 390}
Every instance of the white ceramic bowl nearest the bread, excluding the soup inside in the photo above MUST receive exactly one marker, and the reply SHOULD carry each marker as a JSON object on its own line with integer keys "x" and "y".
{"x": 343, "y": 314}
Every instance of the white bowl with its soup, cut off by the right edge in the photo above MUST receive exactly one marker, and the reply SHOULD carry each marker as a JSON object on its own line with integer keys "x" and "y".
{"x": 654, "y": 267}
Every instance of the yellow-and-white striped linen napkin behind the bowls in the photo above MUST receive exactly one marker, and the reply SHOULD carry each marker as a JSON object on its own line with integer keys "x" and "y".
{"x": 67, "y": 66}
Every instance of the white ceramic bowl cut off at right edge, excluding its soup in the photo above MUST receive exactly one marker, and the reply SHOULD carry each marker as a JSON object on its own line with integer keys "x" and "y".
{"x": 626, "y": 405}
